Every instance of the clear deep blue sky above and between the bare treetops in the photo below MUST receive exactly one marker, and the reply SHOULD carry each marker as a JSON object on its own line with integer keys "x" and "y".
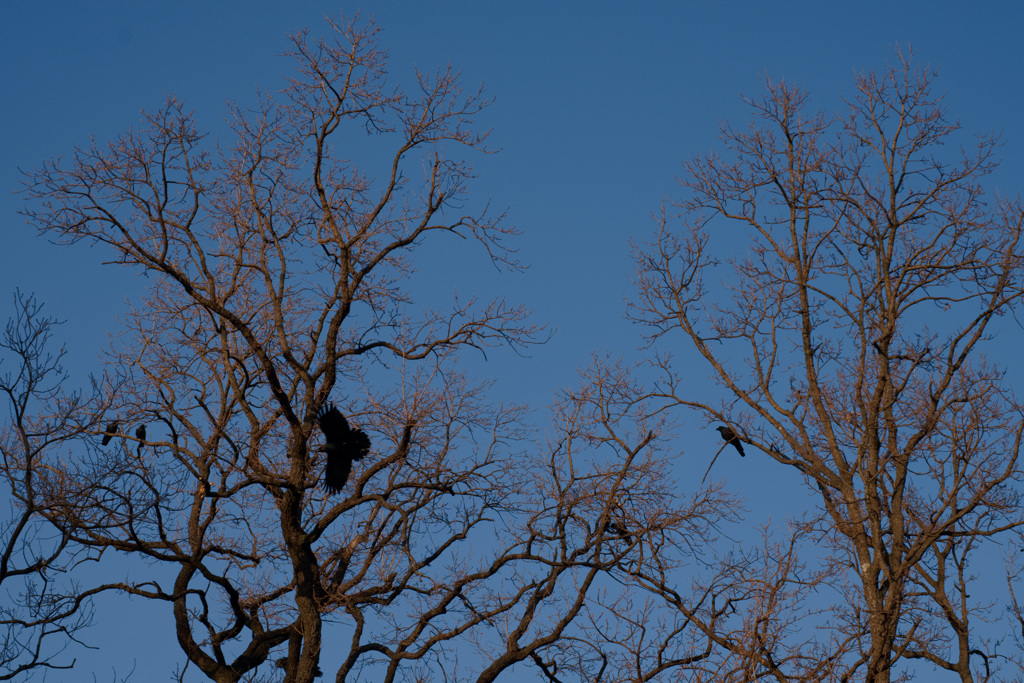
{"x": 596, "y": 106}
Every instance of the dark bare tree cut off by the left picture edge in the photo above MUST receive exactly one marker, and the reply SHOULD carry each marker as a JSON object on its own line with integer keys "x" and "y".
{"x": 41, "y": 614}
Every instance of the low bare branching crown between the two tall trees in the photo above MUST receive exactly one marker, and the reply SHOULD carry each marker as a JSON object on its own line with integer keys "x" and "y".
{"x": 609, "y": 529}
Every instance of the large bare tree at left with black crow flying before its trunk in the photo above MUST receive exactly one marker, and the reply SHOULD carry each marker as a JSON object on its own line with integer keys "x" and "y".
{"x": 277, "y": 267}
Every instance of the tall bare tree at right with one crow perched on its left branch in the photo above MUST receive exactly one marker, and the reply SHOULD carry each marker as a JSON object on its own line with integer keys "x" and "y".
{"x": 849, "y": 343}
